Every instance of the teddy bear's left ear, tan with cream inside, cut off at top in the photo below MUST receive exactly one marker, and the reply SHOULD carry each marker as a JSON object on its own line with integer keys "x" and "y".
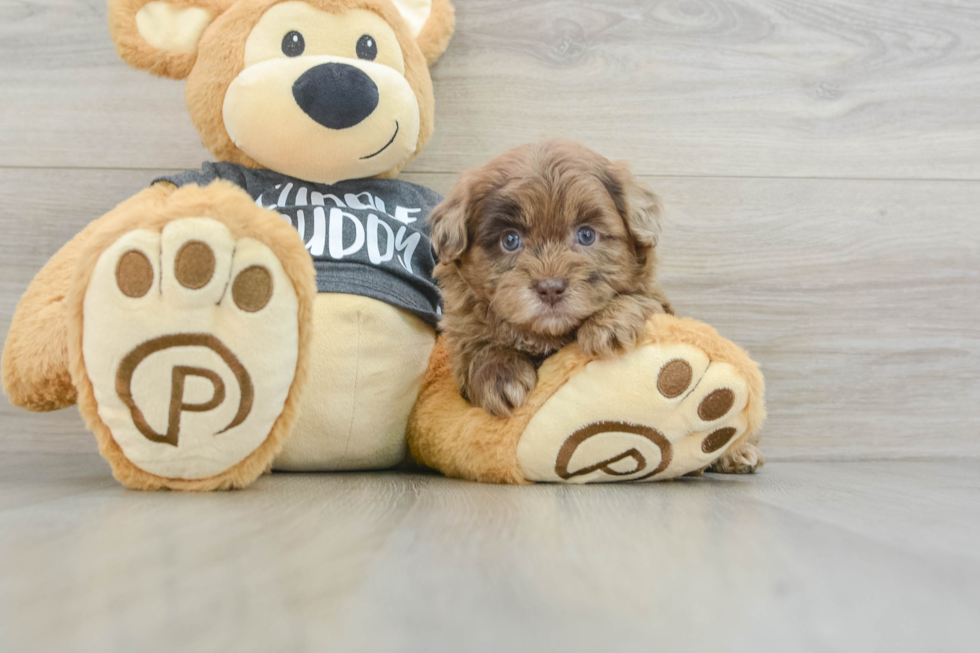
{"x": 161, "y": 36}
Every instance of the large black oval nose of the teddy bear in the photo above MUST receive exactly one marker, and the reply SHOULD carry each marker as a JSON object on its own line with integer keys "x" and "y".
{"x": 336, "y": 95}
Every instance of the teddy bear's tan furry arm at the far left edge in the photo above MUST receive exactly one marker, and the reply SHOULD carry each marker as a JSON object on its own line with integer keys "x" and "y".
{"x": 35, "y": 367}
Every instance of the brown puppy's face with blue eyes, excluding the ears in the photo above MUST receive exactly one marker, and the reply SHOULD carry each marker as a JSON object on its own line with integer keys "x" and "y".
{"x": 549, "y": 255}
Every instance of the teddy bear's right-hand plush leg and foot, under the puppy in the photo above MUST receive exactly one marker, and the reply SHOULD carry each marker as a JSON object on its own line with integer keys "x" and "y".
{"x": 682, "y": 400}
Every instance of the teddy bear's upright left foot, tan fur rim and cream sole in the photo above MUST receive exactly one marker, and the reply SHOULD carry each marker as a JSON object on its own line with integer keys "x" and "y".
{"x": 188, "y": 325}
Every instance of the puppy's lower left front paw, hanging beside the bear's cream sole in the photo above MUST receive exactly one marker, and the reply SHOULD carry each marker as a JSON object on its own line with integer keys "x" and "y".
{"x": 501, "y": 382}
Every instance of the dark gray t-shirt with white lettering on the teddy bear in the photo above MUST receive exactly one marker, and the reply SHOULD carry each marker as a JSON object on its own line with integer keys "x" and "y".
{"x": 367, "y": 236}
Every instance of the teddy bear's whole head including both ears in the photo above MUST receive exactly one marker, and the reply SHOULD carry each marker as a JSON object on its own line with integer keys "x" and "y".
{"x": 323, "y": 90}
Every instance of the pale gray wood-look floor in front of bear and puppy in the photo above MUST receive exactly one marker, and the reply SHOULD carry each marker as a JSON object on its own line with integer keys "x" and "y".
{"x": 860, "y": 556}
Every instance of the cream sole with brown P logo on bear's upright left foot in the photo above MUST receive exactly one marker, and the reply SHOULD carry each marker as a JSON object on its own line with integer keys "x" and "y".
{"x": 190, "y": 340}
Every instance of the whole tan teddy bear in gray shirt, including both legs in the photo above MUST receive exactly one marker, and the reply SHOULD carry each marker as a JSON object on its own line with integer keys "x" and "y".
{"x": 276, "y": 309}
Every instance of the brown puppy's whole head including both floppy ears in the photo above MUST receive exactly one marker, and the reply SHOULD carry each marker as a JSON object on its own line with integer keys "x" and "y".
{"x": 548, "y": 234}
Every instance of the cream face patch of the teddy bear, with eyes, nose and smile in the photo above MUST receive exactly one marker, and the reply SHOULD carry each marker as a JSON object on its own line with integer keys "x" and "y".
{"x": 322, "y": 96}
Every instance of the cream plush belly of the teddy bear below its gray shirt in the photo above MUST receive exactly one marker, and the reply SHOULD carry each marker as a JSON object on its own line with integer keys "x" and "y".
{"x": 365, "y": 364}
